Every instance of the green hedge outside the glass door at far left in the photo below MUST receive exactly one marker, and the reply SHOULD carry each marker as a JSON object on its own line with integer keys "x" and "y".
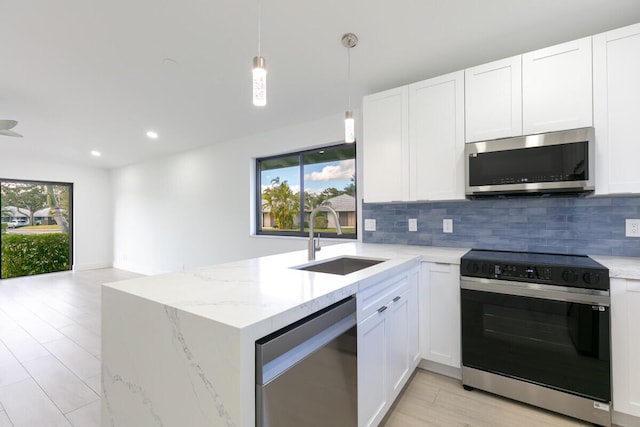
{"x": 27, "y": 254}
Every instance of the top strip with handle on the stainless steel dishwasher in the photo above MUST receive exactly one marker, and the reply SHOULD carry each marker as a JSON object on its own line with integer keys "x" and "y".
{"x": 282, "y": 349}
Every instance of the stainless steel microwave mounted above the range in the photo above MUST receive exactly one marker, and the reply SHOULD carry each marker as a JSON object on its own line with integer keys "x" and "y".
{"x": 544, "y": 163}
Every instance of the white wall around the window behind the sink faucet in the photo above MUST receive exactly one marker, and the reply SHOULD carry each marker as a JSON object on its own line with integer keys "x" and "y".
{"x": 196, "y": 208}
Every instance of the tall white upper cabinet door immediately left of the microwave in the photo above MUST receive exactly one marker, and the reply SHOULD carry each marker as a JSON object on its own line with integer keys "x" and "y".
{"x": 436, "y": 138}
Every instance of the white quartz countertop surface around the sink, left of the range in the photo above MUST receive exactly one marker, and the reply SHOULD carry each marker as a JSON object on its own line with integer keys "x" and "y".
{"x": 267, "y": 290}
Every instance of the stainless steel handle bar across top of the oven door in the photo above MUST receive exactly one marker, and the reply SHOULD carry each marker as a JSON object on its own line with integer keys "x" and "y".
{"x": 535, "y": 290}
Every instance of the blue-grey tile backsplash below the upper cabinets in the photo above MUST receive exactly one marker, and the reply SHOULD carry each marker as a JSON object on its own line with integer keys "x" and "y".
{"x": 567, "y": 225}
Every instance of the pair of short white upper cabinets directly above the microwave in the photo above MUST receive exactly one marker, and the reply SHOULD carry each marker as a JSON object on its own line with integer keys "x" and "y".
{"x": 541, "y": 91}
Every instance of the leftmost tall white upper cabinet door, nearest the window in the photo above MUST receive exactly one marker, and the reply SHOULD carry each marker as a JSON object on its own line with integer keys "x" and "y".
{"x": 385, "y": 147}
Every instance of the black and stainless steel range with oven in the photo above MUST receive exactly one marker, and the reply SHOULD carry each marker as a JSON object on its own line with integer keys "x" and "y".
{"x": 536, "y": 328}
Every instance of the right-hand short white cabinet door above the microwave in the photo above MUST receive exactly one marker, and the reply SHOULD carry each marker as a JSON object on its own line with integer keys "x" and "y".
{"x": 557, "y": 87}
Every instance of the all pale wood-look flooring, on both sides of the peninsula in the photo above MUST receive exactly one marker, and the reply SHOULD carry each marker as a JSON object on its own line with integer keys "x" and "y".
{"x": 50, "y": 365}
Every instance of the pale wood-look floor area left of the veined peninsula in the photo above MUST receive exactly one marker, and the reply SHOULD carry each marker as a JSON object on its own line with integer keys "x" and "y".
{"x": 50, "y": 348}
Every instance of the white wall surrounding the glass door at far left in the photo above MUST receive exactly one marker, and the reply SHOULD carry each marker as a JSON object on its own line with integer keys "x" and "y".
{"x": 92, "y": 212}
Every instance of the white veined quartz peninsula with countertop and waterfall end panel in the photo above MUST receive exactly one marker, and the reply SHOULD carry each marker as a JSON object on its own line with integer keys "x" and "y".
{"x": 178, "y": 348}
